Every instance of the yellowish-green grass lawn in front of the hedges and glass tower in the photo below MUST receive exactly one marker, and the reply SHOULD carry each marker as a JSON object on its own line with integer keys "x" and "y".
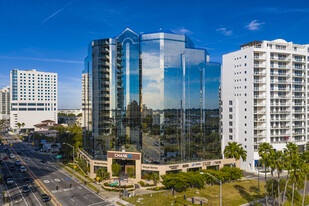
{"x": 233, "y": 194}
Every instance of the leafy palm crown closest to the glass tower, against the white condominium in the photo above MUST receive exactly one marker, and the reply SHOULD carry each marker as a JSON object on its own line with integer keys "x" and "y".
{"x": 234, "y": 150}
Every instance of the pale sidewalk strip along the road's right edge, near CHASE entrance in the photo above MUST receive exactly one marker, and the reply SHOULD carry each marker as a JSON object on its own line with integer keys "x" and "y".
{"x": 110, "y": 196}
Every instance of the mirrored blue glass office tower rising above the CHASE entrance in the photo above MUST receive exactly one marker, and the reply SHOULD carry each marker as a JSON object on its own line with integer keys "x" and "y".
{"x": 146, "y": 94}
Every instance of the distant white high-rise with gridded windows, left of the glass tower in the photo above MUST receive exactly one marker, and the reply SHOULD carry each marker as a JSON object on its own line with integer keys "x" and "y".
{"x": 33, "y": 98}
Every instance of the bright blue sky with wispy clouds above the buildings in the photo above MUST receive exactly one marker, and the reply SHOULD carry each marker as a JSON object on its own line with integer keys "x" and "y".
{"x": 53, "y": 35}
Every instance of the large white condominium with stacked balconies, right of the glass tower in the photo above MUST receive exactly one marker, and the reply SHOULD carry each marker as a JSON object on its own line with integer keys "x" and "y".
{"x": 264, "y": 96}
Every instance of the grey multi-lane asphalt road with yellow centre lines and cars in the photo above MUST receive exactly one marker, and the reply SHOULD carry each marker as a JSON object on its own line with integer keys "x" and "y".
{"x": 48, "y": 178}
